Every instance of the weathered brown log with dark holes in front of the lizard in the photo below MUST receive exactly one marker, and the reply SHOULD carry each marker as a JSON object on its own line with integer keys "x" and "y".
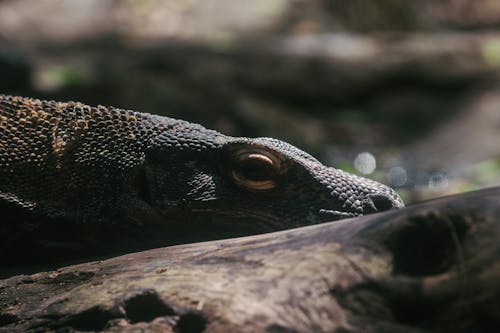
{"x": 431, "y": 267}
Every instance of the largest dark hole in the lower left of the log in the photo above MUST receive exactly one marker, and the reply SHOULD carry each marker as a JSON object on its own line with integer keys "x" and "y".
{"x": 146, "y": 306}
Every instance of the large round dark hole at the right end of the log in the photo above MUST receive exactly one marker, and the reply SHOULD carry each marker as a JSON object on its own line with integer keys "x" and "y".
{"x": 427, "y": 245}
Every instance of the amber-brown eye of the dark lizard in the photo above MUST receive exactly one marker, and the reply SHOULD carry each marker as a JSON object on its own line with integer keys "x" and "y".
{"x": 255, "y": 171}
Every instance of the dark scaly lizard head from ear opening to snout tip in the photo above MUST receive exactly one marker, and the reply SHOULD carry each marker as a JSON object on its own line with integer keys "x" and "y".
{"x": 265, "y": 181}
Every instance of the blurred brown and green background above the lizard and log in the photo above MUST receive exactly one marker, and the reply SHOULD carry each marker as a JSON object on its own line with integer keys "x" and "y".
{"x": 405, "y": 92}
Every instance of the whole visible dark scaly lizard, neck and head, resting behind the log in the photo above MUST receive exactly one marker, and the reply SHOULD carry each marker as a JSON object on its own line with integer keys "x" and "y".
{"x": 81, "y": 163}
